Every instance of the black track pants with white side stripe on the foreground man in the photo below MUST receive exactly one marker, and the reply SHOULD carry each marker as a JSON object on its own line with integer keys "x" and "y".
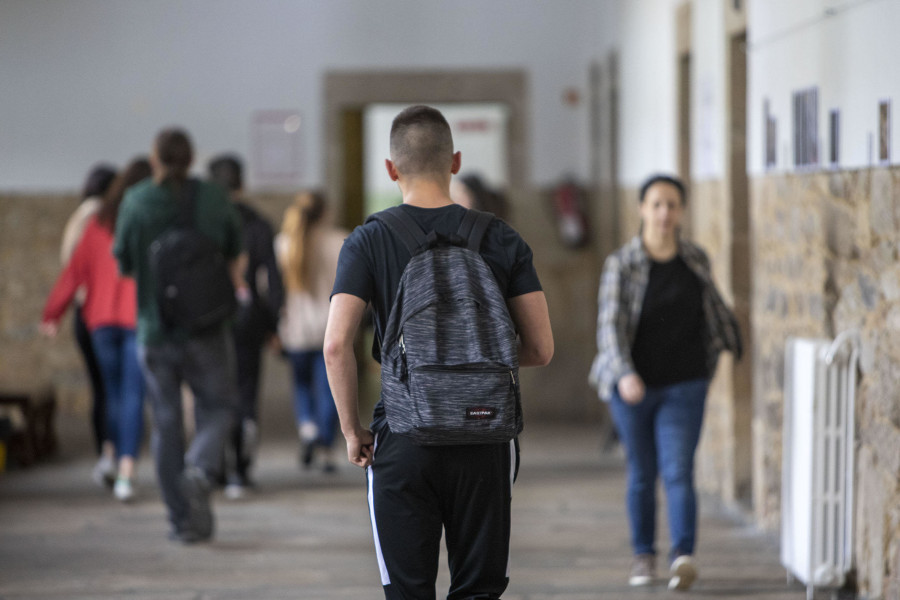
{"x": 416, "y": 491}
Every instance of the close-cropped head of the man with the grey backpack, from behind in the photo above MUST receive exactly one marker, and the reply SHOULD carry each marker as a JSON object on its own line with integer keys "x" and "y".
{"x": 421, "y": 143}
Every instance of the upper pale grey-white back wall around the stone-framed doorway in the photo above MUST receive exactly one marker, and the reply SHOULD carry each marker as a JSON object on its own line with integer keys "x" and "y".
{"x": 93, "y": 80}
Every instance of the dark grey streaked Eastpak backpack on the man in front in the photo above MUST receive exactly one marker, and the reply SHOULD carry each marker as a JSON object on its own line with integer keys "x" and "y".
{"x": 449, "y": 354}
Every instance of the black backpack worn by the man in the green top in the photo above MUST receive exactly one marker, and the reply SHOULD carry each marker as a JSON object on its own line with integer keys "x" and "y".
{"x": 194, "y": 290}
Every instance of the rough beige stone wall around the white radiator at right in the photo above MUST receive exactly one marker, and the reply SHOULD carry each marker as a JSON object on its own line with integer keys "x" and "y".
{"x": 826, "y": 260}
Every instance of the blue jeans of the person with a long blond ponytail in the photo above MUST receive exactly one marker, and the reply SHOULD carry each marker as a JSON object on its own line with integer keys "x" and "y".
{"x": 313, "y": 402}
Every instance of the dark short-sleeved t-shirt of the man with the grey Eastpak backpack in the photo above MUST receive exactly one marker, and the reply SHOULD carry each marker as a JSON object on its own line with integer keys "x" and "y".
{"x": 372, "y": 261}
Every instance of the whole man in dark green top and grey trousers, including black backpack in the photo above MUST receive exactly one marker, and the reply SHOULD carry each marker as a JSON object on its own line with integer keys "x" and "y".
{"x": 183, "y": 332}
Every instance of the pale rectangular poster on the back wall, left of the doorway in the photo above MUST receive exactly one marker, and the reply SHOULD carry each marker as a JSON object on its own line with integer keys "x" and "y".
{"x": 275, "y": 148}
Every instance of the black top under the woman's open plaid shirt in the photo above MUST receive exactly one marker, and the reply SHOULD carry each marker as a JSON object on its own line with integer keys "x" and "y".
{"x": 668, "y": 347}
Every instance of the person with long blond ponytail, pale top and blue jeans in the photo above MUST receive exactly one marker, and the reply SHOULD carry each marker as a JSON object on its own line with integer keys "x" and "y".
{"x": 307, "y": 249}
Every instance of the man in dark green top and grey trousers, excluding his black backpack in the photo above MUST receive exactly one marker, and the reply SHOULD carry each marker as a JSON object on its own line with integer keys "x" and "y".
{"x": 170, "y": 353}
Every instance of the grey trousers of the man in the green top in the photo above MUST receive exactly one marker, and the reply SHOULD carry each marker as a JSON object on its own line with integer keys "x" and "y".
{"x": 207, "y": 365}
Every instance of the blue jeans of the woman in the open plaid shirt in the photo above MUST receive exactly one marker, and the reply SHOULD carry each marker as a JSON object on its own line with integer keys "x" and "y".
{"x": 660, "y": 435}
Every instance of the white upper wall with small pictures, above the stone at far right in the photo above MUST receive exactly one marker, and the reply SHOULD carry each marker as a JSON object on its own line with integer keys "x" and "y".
{"x": 848, "y": 49}
